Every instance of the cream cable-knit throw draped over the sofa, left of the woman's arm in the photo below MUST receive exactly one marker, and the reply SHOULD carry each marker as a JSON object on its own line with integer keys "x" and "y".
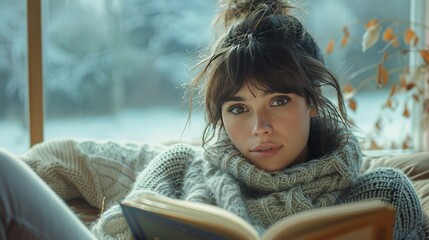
{"x": 89, "y": 169}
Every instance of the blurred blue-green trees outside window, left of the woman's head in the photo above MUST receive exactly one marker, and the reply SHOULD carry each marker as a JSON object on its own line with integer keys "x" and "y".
{"x": 102, "y": 55}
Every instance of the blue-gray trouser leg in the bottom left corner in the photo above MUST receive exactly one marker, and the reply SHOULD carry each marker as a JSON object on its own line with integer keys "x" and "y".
{"x": 29, "y": 209}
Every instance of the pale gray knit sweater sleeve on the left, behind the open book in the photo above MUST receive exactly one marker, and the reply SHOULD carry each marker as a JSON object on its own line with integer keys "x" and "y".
{"x": 163, "y": 175}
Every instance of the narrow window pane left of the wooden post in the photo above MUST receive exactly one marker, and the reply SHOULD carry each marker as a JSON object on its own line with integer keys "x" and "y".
{"x": 14, "y": 133}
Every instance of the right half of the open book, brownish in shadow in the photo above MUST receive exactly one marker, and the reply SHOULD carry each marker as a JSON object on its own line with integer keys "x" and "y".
{"x": 373, "y": 217}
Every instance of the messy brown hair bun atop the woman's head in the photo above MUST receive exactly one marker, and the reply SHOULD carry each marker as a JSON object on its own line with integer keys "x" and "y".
{"x": 231, "y": 10}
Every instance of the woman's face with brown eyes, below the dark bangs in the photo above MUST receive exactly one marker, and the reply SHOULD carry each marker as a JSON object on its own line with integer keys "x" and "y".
{"x": 270, "y": 129}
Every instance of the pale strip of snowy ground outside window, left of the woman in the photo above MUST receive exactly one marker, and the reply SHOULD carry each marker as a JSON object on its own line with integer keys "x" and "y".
{"x": 160, "y": 125}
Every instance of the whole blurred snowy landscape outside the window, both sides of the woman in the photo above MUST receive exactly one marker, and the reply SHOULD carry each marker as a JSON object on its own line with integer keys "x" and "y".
{"x": 114, "y": 69}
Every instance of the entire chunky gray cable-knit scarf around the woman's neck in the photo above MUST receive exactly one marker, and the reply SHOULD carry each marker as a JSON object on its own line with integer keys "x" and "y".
{"x": 263, "y": 198}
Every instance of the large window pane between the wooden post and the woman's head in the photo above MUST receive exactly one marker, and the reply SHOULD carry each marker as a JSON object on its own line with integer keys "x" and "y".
{"x": 113, "y": 69}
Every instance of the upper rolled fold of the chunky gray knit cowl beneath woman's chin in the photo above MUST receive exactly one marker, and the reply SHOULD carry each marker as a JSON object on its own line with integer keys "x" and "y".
{"x": 344, "y": 163}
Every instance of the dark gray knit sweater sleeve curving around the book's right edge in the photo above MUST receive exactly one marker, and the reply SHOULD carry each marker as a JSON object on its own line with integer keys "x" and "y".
{"x": 392, "y": 186}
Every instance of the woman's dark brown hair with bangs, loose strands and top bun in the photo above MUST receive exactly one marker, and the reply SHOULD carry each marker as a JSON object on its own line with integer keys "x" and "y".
{"x": 263, "y": 46}
